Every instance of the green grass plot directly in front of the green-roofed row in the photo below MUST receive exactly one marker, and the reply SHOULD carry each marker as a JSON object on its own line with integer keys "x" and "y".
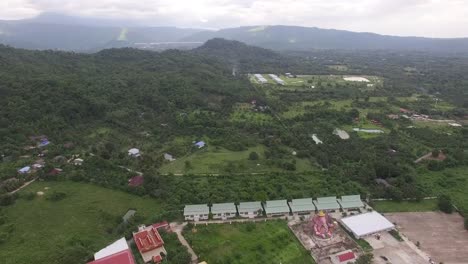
{"x": 266, "y": 242}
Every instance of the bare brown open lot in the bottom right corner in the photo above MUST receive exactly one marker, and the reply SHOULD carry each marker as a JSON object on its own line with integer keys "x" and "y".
{"x": 441, "y": 236}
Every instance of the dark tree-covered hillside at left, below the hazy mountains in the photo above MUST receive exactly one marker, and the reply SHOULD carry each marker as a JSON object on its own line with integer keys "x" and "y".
{"x": 59, "y": 93}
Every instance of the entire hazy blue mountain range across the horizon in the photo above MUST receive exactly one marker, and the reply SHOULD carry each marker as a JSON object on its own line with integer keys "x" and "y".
{"x": 54, "y": 31}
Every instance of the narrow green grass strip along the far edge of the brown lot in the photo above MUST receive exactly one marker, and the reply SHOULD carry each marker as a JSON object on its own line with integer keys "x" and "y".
{"x": 405, "y": 206}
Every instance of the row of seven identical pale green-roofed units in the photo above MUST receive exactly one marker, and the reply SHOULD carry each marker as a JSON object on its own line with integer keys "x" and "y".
{"x": 272, "y": 208}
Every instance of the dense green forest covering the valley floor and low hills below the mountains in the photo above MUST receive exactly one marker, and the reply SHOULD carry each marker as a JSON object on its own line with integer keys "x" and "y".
{"x": 100, "y": 105}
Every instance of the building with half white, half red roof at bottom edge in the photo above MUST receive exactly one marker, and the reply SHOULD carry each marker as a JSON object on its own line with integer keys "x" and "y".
{"x": 116, "y": 253}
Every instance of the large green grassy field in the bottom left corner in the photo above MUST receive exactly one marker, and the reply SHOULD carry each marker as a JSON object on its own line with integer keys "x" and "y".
{"x": 47, "y": 231}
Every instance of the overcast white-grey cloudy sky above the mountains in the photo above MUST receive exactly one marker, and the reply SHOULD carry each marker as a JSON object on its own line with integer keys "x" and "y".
{"x": 431, "y": 18}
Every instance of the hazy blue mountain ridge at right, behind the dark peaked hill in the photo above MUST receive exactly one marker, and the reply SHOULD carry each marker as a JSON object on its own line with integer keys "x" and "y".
{"x": 309, "y": 38}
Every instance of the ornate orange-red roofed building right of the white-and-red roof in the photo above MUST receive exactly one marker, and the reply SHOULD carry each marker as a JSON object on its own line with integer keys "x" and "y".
{"x": 149, "y": 244}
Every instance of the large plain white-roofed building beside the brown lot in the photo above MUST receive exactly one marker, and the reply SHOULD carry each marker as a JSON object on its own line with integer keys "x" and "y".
{"x": 362, "y": 225}
